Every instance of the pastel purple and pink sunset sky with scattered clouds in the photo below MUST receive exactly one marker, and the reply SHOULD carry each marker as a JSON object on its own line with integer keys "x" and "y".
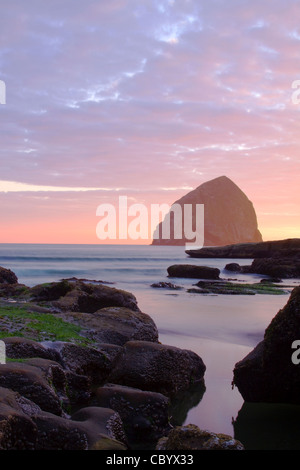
{"x": 146, "y": 99}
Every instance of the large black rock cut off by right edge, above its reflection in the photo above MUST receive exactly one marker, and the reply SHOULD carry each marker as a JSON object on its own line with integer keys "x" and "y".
{"x": 268, "y": 374}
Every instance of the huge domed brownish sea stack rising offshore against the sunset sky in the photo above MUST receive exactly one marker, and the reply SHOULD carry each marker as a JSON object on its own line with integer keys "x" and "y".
{"x": 229, "y": 217}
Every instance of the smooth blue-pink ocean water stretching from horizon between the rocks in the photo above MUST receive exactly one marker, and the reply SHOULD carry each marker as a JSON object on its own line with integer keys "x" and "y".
{"x": 221, "y": 329}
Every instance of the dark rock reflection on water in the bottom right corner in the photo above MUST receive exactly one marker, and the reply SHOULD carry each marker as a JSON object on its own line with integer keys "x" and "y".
{"x": 264, "y": 426}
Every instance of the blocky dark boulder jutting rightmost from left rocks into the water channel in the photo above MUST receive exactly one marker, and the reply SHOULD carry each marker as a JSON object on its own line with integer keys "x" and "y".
{"x": 157, "y": 367}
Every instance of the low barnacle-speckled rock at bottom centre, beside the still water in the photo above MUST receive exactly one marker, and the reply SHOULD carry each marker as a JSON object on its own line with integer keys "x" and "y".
{"x": 190, "y": 437}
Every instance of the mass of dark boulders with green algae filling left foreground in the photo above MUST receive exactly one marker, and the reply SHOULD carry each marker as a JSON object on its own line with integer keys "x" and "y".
{"x": 85, "y": 370}
